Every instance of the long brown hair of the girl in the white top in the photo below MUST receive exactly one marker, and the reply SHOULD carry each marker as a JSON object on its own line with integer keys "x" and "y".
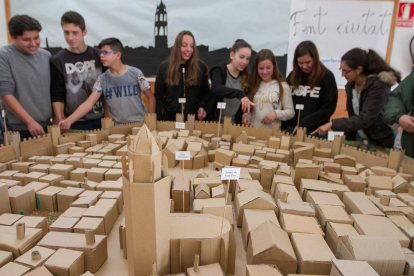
{"x": 254, "y": 80}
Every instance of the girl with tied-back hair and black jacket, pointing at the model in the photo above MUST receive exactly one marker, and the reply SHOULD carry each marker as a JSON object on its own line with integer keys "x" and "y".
{"x": 229, "y": 81}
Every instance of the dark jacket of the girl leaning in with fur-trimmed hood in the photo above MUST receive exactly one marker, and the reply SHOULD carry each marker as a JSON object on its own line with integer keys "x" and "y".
{"x": 373, "y": 97}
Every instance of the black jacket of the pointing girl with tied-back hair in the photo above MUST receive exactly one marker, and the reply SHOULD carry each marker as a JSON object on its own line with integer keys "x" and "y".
{"x": 218, "y": 76}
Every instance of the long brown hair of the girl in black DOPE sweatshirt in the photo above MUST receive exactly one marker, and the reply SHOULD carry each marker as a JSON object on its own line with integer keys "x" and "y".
{"x": 318, "y": 71}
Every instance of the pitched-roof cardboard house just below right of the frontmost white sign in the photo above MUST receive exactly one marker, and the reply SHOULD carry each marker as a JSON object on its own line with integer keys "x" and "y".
{"x": 253, "y": 199}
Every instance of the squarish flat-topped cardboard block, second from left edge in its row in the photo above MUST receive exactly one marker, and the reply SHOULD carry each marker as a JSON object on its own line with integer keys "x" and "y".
{"x": 22, "y": 200}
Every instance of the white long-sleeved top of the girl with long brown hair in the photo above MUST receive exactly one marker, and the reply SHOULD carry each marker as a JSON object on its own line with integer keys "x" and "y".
{"x": 267, "y": 98}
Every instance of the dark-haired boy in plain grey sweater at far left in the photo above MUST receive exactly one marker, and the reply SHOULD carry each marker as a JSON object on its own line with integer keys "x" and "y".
{"x": 25, "y": 79}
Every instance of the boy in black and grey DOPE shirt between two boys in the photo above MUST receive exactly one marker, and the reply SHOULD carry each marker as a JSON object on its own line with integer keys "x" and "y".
{"x": 74, "y": 70}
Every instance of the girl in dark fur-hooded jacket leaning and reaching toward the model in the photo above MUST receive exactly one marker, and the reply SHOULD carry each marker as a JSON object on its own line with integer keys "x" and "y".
{"x": 369, "y": 81}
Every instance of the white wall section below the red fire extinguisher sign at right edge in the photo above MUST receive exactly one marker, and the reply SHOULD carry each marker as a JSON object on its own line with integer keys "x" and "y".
{"x": 400, "y": 55}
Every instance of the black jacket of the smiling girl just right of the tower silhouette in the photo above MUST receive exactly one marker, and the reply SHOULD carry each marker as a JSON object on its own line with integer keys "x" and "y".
{"x": 167, "y": 104}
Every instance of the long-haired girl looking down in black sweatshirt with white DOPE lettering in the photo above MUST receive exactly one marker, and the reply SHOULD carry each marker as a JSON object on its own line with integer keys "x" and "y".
{"x": 313, "y": 86}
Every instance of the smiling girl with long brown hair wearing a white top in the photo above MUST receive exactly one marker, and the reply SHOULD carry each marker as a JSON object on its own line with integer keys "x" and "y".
{"x": 269, "y": 91}
